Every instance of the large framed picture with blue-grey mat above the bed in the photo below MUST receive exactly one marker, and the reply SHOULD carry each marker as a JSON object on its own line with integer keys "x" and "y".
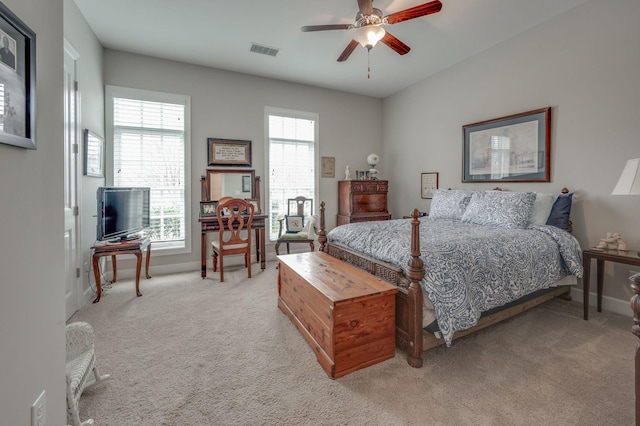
{"x": 515, "y": 148}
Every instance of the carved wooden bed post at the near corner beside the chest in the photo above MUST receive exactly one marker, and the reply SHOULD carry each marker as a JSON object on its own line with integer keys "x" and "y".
{"x": 414, "y": 295}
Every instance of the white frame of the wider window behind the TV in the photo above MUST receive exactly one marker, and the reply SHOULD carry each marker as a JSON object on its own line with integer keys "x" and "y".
{"x": 111, "y": 92}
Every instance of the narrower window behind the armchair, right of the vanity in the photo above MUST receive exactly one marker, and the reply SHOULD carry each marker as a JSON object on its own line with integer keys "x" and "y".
{"x": 293, "y": 147}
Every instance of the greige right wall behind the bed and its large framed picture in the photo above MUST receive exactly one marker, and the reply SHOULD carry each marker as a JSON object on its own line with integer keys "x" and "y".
{"x": 584, "y": 64}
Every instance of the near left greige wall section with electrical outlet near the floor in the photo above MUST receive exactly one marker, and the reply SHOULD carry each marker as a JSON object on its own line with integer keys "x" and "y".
{"x": 32, "y": 317}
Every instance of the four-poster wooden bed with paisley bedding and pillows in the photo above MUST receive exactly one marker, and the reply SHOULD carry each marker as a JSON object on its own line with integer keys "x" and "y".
{"x": 478, "y": 258}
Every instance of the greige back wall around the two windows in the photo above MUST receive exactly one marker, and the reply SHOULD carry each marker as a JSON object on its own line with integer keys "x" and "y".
{"x": 232, "y": 106}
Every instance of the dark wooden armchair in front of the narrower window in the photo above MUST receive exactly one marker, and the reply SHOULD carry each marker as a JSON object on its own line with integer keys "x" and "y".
{"x": 299, "y": 224}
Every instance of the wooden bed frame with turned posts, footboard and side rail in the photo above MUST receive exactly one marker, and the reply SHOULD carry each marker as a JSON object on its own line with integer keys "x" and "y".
{"x": 410, "y": 335}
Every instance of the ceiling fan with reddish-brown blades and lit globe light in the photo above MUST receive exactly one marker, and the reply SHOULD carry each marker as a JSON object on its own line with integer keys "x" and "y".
{"x": 369, "y": 24}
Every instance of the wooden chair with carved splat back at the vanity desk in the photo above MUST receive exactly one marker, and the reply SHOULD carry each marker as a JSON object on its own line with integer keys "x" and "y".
{"x": 235, "y": 217}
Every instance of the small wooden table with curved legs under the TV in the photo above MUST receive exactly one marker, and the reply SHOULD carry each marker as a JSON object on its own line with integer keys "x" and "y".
{"x": 136, "y": 247}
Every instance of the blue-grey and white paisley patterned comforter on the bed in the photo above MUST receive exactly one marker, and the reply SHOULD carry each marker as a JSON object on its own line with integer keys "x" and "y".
{"x": 469, "y": 268}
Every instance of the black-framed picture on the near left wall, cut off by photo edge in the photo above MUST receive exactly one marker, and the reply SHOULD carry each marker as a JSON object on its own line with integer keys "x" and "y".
{"x": 17, "y": 81}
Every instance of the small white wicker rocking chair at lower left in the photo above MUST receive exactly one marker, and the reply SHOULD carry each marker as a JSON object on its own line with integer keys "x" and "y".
{"x": 81, "y": 362}
